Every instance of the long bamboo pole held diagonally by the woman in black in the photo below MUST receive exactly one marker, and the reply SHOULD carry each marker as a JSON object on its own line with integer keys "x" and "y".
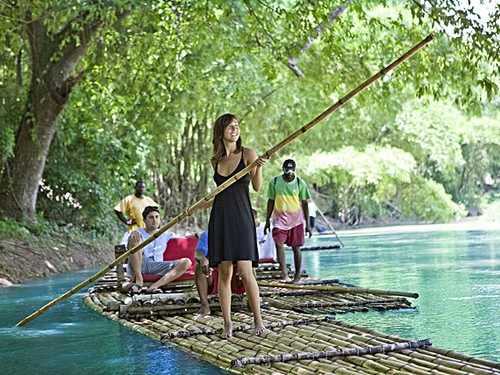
{"x": 235, "y": 178}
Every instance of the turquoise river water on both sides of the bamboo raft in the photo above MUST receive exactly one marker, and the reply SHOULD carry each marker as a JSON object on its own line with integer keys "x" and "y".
{"x": 455, "y": 270}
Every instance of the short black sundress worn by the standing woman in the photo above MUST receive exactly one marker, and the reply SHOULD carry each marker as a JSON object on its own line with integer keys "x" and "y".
{"x": 231, "y": 229}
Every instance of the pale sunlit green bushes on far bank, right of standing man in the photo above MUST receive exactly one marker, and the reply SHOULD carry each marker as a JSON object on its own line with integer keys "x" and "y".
{"x": 379, "y": 182}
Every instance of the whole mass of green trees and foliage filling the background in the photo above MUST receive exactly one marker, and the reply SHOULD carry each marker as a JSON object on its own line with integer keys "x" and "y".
{"x": 96, "y": 95}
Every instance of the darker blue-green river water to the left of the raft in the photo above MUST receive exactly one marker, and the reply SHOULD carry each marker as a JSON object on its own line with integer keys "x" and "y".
{"x": 70, "y": 338}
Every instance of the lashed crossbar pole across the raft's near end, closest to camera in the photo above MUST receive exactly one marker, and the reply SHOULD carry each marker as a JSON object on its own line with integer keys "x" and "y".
{"x": 332, "y": 353}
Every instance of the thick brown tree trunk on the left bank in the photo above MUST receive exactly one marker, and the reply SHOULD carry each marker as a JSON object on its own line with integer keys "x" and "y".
{"x": 53, "y": 61}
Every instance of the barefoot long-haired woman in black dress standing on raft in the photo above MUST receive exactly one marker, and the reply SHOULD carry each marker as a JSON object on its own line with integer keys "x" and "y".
{"x": 231, "y": 230}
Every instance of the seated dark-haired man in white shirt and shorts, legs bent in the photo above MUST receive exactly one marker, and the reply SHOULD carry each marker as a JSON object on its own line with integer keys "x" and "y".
{"x": 149, "y": 260}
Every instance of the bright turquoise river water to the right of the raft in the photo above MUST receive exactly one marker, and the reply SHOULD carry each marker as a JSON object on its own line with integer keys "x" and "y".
{"x": 456, "y": 274}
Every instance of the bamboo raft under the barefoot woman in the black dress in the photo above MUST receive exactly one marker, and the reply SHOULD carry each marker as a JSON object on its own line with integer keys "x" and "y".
{"x": 303, "y": 333}
